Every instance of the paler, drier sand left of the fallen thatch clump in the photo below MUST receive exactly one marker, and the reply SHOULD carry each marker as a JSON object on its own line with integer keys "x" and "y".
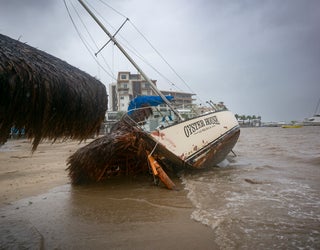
{"x": 23, "y": 174}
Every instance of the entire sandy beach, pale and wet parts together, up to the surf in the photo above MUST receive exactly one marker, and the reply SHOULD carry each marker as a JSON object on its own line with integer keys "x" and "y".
{"x": 41, "y": 210}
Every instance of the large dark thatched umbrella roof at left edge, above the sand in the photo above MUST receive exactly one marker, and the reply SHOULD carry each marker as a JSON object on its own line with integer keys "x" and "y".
{"x": 46, "y": 96}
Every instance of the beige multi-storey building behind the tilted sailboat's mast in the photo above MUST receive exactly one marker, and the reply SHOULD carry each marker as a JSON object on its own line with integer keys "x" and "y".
{"x": 129, "y": 86}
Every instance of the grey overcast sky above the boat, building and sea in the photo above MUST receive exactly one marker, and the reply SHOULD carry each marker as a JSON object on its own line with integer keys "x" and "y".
{"x": 261, "y": 57}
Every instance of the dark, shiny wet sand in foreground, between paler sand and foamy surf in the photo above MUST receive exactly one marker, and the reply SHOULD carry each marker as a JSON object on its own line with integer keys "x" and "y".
{"x": 119, "y": 214}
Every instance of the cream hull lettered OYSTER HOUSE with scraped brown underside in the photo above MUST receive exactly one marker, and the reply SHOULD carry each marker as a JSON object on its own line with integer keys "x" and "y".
{"x": 199, "y": 142}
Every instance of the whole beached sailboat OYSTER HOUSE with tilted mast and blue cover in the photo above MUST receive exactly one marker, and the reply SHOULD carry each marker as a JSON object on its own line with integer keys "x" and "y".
{"x": 198, "y": 142}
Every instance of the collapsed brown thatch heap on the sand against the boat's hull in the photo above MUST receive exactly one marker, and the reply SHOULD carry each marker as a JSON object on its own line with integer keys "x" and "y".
{"x": 122, "y": 152}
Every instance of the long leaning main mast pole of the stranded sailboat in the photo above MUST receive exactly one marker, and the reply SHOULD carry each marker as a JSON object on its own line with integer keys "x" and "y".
{"x": 113, "y": 39}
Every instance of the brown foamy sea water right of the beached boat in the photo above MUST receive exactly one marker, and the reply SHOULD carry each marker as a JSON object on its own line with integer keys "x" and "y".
{"x": 268, "y": 197}
